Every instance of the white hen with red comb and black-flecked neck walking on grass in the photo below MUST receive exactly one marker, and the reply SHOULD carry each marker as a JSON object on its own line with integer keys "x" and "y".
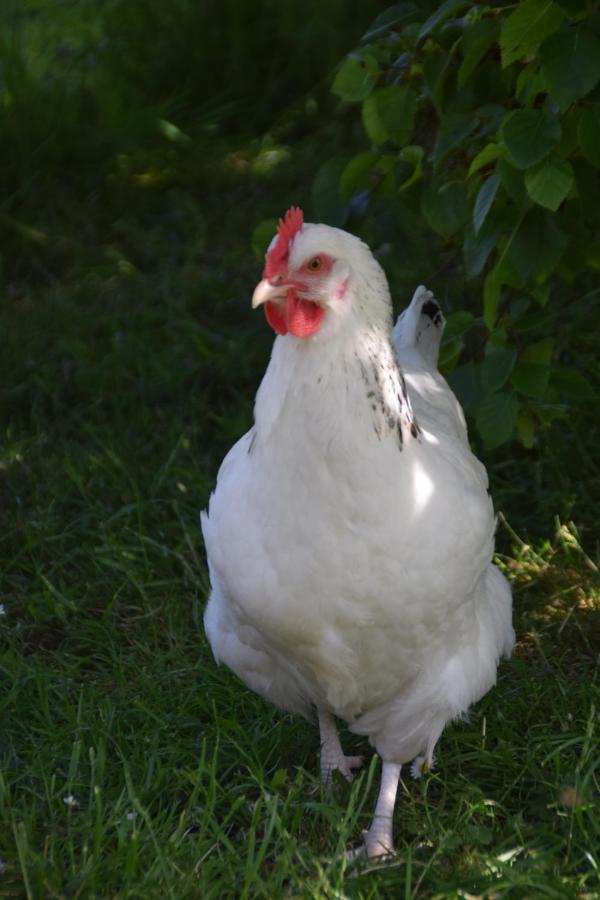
{"x": 350, "y": 534}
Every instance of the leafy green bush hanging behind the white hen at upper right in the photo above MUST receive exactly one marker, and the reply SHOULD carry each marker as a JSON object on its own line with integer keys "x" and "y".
{"x": 484, "y": 126}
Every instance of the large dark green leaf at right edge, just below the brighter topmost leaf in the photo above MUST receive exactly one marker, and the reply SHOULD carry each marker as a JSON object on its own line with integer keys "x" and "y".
{"x": 570, "y": 64}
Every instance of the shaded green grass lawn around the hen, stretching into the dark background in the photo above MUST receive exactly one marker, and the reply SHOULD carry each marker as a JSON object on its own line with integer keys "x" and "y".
{"x": 130, "y": 765}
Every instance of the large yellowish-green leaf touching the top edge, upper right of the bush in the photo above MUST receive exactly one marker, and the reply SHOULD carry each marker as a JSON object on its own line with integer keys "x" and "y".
{"x": 525, "y": 29}
